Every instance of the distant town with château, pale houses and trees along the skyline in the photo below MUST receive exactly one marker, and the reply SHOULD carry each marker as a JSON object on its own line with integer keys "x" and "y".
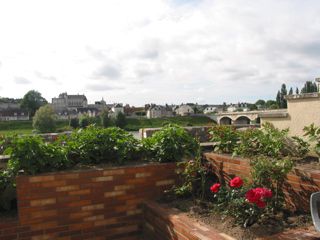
{"x": 68, "y": 106}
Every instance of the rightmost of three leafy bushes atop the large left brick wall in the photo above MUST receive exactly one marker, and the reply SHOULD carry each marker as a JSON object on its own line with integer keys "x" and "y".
{"x": 170, "y": 144}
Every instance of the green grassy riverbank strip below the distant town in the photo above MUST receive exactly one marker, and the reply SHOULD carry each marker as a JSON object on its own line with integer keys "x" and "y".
{"x": 25, "y": 127}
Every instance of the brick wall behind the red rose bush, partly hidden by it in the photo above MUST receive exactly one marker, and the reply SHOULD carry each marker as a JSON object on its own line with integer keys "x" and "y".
{"x": 300, "y": 182}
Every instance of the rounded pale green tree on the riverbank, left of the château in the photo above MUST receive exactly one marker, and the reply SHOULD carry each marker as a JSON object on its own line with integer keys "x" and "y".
{"x": 44, "y": 119}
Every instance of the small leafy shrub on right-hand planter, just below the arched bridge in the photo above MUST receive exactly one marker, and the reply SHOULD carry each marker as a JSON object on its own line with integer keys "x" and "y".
{"x": 224, "y": 137}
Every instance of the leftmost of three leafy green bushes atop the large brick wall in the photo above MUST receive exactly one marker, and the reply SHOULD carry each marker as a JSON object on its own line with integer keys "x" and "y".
{"x": 32, "y": 155}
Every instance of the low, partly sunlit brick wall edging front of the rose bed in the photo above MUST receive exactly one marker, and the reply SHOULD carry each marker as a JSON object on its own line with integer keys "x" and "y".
{"x": 162, "y": 223}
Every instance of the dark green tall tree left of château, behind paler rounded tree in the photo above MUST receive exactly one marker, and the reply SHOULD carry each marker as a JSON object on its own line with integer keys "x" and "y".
{"x": 32, "y": 101}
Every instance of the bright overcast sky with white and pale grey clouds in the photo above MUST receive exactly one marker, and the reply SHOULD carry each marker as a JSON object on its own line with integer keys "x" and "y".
{"x": 160, "y": 51}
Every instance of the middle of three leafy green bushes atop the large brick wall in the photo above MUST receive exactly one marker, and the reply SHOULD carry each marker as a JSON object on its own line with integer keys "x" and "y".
{"x": 102, "y": 145}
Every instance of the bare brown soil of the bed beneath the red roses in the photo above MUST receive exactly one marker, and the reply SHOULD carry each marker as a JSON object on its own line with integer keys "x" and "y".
{"x": 203, "y": 212}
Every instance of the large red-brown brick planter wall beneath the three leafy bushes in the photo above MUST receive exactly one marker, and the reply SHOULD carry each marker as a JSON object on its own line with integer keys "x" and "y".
{"x": 92, "y": 204}
